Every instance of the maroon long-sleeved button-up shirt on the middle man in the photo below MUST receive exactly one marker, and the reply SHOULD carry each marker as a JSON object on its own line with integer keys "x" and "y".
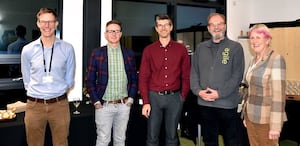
{"x": 164, "y": 69}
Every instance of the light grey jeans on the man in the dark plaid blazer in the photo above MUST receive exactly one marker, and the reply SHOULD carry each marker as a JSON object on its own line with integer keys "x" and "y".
{"x": 114, "y": 116}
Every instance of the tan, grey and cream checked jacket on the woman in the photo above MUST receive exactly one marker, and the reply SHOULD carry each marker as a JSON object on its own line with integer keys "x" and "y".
{"x": 266, "y": 93}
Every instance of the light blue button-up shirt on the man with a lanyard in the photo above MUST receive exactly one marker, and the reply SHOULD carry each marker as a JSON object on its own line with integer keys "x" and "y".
{"x": 62, "y": 69}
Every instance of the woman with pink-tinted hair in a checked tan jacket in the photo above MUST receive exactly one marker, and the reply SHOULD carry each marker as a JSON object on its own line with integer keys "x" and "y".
{"x": 264, "y": 110}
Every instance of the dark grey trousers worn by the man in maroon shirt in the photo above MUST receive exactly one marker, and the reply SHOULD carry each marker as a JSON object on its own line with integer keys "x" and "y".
{"x": 169, "y": 107}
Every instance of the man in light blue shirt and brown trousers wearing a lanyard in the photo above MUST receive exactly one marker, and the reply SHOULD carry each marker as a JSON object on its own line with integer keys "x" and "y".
{"x": 48, "y": 69}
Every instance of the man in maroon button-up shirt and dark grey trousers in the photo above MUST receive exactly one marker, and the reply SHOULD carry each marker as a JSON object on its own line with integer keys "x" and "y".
{"x": 164, "y": 83}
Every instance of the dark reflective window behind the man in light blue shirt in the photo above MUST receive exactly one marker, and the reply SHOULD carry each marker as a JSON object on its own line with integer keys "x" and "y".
{"x": 18, "y": 17}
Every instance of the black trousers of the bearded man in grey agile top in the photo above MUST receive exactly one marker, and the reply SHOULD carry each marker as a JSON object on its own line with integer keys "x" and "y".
{"x": 217, "y": 121}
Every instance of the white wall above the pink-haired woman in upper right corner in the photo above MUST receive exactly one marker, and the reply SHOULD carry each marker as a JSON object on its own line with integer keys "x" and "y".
{"x": 240, "y": 13}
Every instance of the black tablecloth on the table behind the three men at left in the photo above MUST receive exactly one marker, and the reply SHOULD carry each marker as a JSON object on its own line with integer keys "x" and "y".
{"x": 82, "y": 129}
